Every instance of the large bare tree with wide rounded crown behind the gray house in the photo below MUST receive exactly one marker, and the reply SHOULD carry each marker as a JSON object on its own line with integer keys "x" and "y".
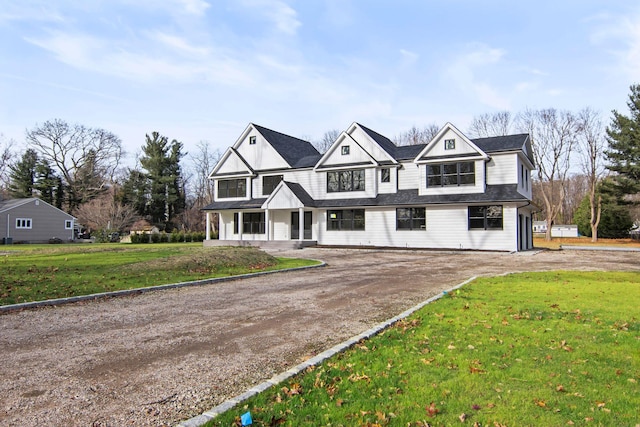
{"x": 86, "y": 158}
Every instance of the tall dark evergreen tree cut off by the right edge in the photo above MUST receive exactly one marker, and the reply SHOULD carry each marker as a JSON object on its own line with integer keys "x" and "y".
{"x": 624, "y": 146}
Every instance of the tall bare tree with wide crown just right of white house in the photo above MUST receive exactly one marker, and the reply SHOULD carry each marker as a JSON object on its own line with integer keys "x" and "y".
{"x": 553, "y": 136}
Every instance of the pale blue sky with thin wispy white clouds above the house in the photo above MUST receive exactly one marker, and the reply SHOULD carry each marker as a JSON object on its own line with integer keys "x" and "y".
{"x": 202, "y": 70}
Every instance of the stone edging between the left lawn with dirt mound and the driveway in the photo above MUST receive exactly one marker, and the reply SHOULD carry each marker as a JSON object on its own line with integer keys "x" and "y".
{"x": 125, "y": 292}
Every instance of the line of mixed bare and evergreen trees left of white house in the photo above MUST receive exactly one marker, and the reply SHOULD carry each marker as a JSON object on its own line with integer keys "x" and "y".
{"x": 78, "y": 169}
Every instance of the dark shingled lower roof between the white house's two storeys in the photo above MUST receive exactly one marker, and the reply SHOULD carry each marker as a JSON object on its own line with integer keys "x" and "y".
{"x": 493, "y": 194}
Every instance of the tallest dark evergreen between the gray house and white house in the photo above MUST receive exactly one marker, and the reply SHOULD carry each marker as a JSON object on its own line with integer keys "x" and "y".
{"x": 161, "y": 161}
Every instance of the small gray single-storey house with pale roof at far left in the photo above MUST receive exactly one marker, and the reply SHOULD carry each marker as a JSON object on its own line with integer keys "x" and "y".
{"x": 33, "y": 221}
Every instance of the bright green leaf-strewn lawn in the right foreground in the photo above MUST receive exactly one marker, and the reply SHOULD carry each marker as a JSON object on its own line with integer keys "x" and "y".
{"x": 552, "y": 349}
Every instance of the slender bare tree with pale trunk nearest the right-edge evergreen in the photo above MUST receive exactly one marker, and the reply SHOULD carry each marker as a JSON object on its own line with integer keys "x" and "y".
{"x": 592, "y": 145}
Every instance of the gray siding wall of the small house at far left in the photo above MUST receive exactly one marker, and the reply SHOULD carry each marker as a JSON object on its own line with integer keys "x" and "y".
{"x": 46, "y": 222}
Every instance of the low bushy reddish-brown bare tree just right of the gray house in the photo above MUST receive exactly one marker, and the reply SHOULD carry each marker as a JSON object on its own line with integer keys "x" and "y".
{"x": 105, "y": 213}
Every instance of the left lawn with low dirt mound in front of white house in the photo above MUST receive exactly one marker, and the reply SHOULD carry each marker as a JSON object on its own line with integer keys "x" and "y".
{"x": 39, "y": 272}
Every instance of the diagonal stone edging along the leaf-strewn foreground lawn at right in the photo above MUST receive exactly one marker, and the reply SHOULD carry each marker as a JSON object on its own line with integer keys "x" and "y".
{"x": 203, "y": 418}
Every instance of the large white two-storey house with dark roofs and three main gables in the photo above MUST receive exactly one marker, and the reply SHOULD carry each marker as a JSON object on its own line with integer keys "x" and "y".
{"x": 452, "y": 193}
